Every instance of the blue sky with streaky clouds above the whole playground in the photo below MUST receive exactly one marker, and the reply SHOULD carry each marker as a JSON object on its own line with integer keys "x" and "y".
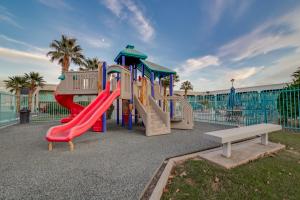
{"x": 208, "y": 42}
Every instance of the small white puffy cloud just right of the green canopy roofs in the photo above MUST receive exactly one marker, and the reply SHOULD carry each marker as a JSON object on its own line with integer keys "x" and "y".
{"x": 192, "y": 65}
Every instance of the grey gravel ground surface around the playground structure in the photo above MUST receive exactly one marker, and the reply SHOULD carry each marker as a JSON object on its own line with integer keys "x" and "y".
{"x": 114, "y": 165}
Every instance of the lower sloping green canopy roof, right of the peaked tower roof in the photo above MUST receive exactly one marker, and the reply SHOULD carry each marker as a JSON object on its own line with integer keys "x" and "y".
{"x": 159, "y": 71}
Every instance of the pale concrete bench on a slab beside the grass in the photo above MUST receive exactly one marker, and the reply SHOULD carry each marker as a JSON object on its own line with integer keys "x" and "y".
{"x": 225, "y": 137}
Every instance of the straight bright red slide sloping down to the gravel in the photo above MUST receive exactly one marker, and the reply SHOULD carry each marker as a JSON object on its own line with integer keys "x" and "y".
{"x": 86, "y": 118}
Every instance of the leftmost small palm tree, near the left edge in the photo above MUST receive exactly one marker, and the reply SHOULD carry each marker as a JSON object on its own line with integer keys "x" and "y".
{"x": 15, "y": 84}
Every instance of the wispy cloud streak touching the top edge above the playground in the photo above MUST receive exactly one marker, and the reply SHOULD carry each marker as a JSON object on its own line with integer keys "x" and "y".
{"x": 128, "y": 10}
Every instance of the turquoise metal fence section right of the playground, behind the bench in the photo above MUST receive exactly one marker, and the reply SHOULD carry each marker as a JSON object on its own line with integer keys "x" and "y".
{"x": 269, "y": 106}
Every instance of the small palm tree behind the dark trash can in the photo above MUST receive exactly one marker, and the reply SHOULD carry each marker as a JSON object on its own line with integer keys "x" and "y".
{"x": 34, "y": 80}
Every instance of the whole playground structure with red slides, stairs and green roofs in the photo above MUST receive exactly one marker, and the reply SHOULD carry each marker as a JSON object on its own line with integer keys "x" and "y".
{"x": 138, "y": 99}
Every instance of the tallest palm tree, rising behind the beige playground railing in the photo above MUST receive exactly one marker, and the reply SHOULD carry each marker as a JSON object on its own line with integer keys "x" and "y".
{"x": 66, "y": 51}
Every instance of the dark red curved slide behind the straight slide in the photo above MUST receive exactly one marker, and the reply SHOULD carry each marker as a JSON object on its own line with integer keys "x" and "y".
{"x": 66, "y": 100}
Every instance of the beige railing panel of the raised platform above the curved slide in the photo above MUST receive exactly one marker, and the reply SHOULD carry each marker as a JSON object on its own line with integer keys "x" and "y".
{"x": 79, "y": 82}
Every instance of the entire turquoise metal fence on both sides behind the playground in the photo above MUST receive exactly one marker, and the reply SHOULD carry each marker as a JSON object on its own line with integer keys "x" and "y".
{"x": 270, "y": 106}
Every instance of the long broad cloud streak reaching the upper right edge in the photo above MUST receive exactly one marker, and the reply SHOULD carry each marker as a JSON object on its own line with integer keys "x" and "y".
{"x": 281, "y": 33}
